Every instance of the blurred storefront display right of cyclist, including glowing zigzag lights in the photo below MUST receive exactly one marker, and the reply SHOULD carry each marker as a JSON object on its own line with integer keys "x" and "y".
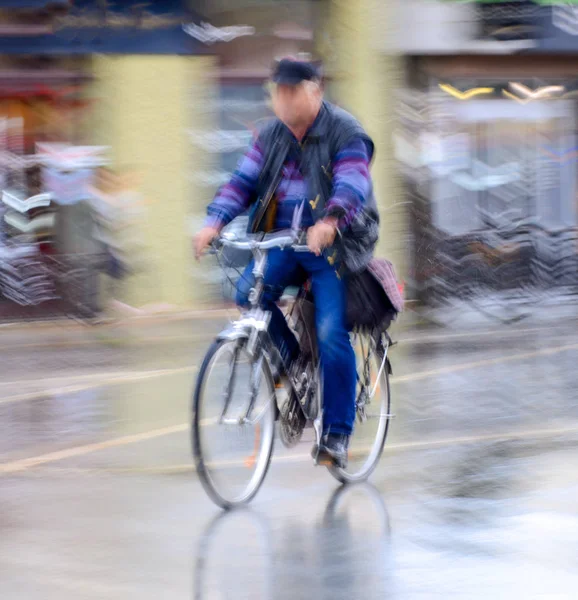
{"x": 494, "y": 182}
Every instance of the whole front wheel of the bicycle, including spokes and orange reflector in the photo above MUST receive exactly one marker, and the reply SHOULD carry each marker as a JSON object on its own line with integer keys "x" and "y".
{"x": 233, "y": 423}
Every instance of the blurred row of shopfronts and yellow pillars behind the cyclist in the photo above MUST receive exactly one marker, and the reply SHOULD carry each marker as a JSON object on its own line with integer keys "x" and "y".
{"x": 471, "y": 105}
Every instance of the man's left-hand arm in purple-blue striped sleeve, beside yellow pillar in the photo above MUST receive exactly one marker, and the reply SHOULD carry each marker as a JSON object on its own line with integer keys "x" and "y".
{"x": 234, "y": 197}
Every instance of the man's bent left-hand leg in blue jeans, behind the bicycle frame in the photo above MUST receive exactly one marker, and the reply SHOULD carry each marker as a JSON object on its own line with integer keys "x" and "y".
{"x": 282, "y": 271}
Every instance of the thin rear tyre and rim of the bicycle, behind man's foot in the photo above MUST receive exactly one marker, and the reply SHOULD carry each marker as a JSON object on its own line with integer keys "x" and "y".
{"x": 343, "y": 475}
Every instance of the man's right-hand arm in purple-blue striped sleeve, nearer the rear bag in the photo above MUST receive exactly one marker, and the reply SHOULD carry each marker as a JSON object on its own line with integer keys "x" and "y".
{"x": 351, "y": 182}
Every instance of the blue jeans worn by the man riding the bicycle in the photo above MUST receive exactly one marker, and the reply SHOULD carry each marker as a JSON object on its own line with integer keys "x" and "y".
{"x": 287, "y": 268}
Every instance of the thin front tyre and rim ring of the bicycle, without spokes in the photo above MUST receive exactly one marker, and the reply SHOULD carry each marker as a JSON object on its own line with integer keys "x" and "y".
{"x": 201, "y": 464}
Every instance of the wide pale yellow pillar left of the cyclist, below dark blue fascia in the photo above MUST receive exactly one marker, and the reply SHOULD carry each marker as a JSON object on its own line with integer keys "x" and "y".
{"x": 144, "y": 107}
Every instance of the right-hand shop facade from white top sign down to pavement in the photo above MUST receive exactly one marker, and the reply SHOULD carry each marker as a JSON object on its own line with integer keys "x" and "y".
{"x": 486, "y": 141}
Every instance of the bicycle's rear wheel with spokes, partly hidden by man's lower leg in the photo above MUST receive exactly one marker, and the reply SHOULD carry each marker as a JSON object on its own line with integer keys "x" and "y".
{"x": 373, "y": 407}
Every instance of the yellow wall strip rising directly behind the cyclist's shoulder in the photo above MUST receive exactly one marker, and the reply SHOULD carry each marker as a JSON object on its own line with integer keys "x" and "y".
{"x": 364, "y": 82}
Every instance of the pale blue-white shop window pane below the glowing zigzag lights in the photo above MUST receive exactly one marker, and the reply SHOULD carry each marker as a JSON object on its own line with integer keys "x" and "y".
{"x": 515, "y": 162}
